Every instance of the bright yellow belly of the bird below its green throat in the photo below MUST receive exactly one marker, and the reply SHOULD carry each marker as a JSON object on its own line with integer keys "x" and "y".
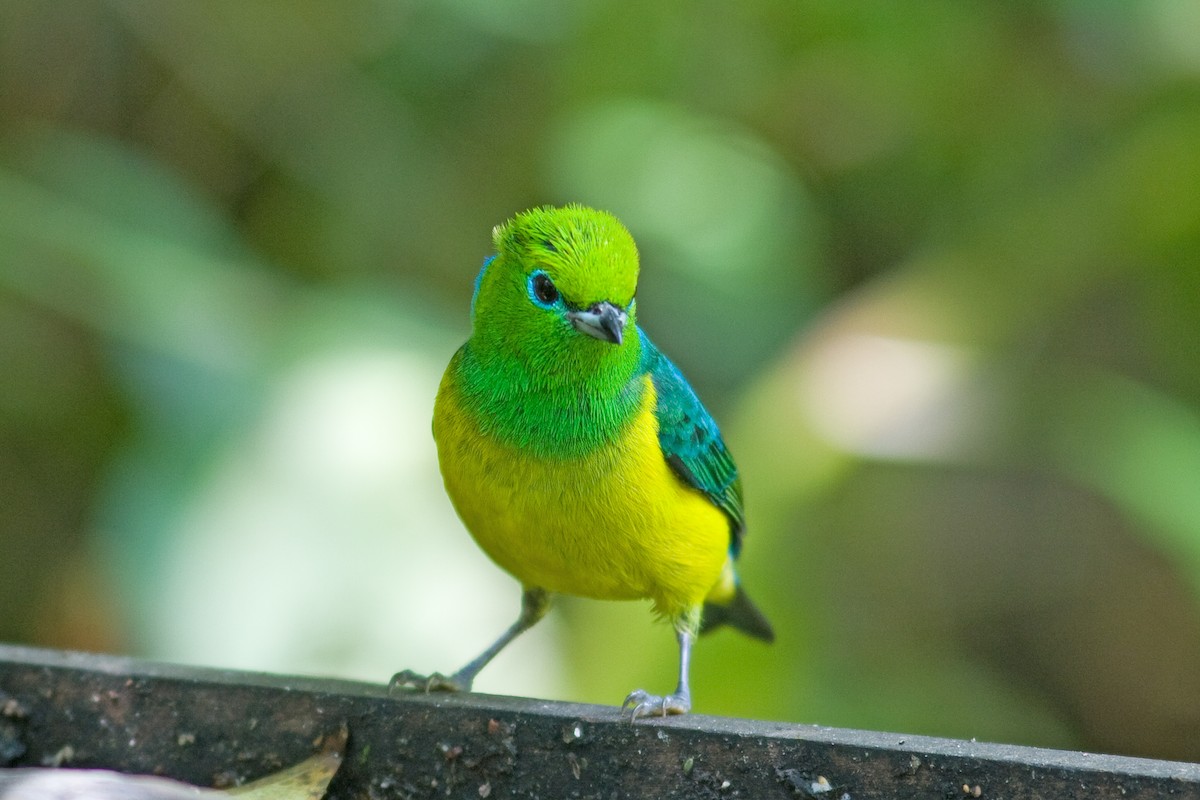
{"x": 615, "y": 525}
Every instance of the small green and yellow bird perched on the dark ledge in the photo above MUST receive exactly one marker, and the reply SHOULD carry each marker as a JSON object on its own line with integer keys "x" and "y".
{"x": 578, "y": 455}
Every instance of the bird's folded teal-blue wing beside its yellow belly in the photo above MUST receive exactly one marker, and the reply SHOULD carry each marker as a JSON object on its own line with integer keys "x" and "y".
{"x": 692, "y": 442}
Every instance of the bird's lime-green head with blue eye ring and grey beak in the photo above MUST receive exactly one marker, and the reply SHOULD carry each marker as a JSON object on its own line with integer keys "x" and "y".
{"x": 560, "y": 292}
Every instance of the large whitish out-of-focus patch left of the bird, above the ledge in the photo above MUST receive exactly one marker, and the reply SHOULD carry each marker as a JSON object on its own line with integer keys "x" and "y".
{"x": 323, "y": 543}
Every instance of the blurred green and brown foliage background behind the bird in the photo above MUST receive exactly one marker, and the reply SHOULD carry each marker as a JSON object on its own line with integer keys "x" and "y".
{"x": 935, "y": 267}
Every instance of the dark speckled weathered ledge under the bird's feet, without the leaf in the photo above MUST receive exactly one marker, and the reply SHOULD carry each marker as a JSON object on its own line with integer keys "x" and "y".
{"x": 217, "y": 729}
